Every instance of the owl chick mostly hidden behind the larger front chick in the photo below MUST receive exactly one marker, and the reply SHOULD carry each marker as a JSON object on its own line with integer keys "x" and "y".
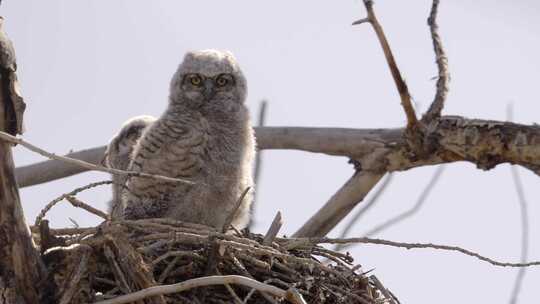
{"x": 118, "y": 156}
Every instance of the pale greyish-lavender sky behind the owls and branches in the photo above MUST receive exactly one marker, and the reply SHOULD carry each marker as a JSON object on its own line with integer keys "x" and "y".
{"x": 87, "y": 66}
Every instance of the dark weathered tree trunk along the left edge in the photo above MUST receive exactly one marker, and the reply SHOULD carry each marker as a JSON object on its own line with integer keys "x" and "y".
{"x": 21, "y": 269}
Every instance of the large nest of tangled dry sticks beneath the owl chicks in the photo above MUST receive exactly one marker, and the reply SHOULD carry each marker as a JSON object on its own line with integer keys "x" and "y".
{"x": 120, "y": 257}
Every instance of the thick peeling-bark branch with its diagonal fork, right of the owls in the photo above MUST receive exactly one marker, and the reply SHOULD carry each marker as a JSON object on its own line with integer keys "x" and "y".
{"x": 484, "y": 143}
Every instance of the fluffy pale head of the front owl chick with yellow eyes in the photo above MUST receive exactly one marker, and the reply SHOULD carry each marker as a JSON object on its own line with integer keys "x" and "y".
{"x": 208, "y": 79}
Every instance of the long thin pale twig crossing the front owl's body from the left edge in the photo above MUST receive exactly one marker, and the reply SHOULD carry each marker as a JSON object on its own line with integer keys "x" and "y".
{"x": 10, "y": 138}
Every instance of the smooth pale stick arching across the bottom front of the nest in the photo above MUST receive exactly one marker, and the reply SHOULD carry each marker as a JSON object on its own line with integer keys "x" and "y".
{"x": 206, "y": 281}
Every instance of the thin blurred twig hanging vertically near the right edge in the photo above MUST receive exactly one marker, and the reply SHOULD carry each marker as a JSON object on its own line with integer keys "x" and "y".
{"x": 524, "y": 234}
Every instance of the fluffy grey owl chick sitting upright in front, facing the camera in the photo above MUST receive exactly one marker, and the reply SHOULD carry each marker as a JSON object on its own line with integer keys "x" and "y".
{"x": 204, "y": 136}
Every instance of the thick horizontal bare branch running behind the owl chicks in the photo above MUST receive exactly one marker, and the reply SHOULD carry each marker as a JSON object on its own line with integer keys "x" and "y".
{"x": 485, "y": 143}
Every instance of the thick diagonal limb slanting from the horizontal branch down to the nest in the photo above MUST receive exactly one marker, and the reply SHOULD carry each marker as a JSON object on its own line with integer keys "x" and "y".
{"x": 339, "y": 205}
